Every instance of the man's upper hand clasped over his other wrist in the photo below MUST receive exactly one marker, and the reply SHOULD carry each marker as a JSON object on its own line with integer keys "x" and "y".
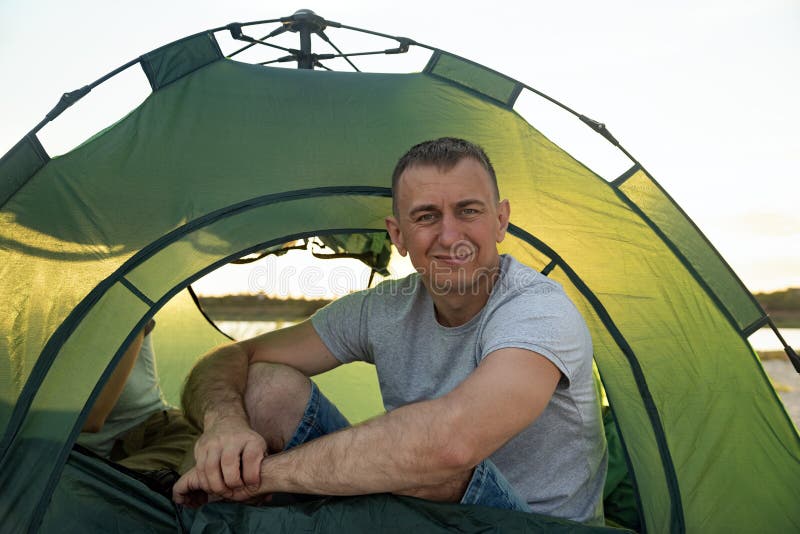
{"x": 228, "y": 457}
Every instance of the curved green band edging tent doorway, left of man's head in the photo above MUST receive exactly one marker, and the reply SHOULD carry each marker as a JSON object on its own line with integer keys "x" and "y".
{"x": 115, "y": 293}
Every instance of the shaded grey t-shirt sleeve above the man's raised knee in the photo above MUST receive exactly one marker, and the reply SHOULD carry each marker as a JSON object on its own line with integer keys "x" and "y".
{"x": 342, "y": 326}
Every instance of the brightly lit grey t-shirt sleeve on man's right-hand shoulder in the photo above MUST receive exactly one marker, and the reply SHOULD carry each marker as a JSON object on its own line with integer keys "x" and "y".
{"x": 545, "y": 322}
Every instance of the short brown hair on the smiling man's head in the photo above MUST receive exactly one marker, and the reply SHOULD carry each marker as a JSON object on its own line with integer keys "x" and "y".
{"x": 443, "y": 153}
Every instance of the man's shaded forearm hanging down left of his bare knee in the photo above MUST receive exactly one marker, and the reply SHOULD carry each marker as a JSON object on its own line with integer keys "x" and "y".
{"x": 215, "y": 387}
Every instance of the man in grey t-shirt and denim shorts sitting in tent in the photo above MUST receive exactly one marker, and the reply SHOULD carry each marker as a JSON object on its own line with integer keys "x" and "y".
{"x": 485, "y": 370}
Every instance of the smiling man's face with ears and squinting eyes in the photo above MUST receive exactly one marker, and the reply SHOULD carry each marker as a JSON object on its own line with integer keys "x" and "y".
{"x": 449, "y": 223}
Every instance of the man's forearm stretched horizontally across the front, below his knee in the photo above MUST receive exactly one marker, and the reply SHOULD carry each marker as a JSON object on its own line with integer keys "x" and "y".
{"x": 407, "y": 449}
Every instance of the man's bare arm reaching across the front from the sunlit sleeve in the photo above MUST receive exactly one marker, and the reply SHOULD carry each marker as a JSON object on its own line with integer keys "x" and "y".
{"x": 421, "y": 445}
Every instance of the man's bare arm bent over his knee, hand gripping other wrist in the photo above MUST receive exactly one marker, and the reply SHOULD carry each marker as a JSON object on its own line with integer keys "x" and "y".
{"x": 229, "y": 452}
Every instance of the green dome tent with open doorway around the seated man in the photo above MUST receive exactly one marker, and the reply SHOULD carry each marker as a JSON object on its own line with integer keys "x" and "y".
{"x": 225, "y": 158}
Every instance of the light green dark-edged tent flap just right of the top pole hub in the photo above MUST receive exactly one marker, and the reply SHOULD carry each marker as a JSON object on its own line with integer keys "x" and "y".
{"x": 475, "y": 77}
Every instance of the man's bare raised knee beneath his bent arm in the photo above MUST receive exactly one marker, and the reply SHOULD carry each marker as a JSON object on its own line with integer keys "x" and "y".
{"x": 275, "y": 399}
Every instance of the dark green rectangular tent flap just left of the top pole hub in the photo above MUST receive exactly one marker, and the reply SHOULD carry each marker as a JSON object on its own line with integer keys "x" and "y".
{"x": 175, "y": 60}
